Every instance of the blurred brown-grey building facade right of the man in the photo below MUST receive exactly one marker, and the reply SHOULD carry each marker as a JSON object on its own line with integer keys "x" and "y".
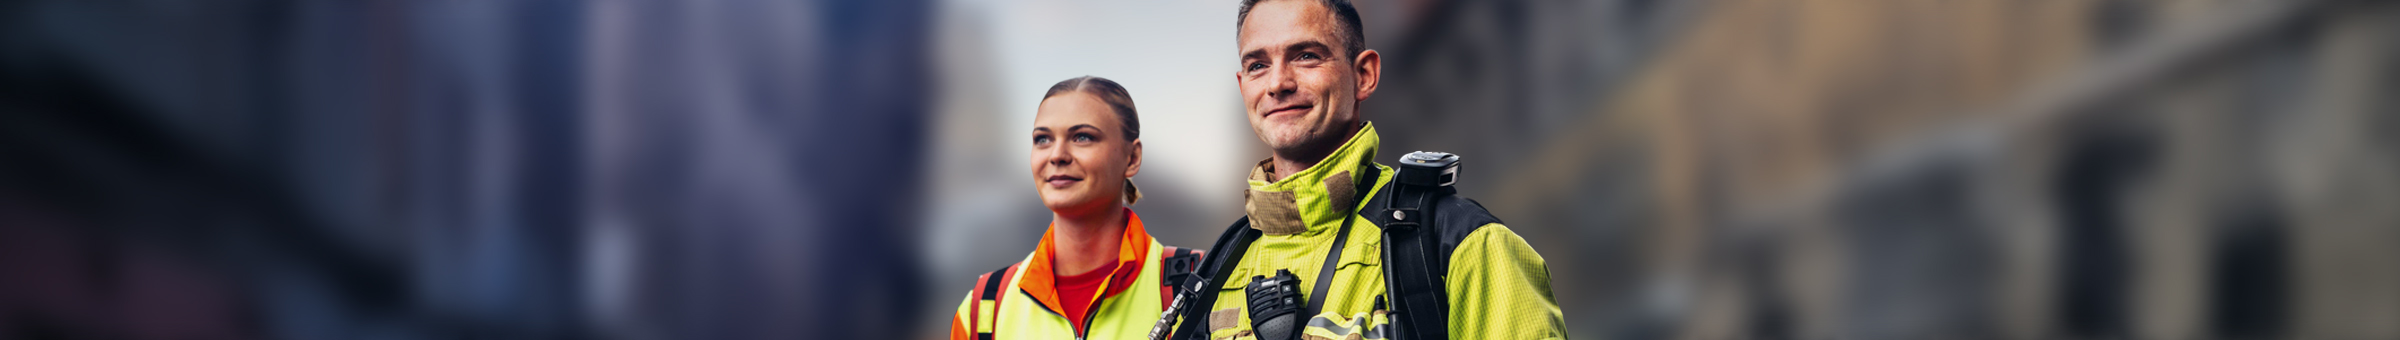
{"x": 1890, "y": 169}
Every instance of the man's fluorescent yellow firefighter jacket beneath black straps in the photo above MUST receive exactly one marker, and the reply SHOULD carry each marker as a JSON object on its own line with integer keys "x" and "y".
{"x": 1499, "y": 286}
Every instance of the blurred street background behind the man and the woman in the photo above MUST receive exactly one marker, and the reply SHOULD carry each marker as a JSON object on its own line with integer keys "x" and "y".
{"x": 844, "y": 169}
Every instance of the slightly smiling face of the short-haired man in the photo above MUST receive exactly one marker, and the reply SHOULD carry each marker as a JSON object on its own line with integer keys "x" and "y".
{"x": 1300, "y": 92}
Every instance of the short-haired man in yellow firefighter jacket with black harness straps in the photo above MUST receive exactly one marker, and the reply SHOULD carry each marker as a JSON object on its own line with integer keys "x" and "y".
{"x": 1338, "y": 245}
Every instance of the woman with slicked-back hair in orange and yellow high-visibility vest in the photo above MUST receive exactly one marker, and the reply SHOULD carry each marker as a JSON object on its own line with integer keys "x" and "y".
{"x": 1096, "y": 274}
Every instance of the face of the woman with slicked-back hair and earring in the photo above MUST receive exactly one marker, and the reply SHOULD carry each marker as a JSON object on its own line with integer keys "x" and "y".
{"x": 1081, "y": 154}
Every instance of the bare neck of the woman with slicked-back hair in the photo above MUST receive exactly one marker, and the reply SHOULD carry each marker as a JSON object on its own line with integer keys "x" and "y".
{"x": 1086, "y": 243}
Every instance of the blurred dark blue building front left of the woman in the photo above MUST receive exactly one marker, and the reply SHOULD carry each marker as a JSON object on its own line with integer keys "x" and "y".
{"x": 534, "y": 169}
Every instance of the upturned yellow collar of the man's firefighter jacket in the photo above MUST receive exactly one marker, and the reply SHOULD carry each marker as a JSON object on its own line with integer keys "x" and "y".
{"x": 1316, "y": 198}
